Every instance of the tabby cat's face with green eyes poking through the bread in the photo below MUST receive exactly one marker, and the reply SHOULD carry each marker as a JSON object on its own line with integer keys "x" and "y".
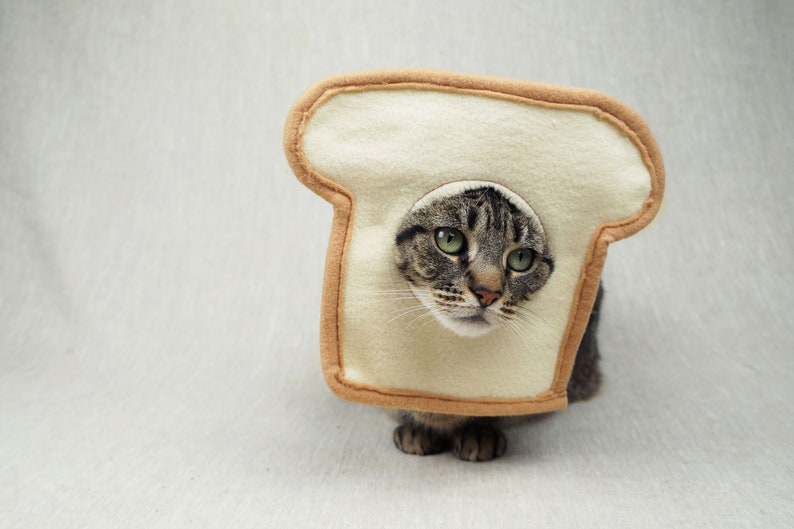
{"x": 473, "y": 257}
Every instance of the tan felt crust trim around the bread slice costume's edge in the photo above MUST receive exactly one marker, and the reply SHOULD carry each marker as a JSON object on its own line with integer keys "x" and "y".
{"x": 331, "y": 340}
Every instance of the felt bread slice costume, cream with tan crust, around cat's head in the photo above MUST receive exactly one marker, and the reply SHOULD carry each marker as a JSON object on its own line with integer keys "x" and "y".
{"x": 374, "y": 144}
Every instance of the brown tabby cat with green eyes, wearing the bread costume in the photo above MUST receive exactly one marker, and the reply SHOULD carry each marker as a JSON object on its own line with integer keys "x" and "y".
{"x": 472, "y": 258}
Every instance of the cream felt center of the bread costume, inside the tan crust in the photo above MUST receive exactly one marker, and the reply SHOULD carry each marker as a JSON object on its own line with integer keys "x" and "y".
{"x": 390, "y": 147}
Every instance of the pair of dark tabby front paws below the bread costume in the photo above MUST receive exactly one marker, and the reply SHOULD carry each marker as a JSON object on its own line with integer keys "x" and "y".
{"x": 470, "y": 438}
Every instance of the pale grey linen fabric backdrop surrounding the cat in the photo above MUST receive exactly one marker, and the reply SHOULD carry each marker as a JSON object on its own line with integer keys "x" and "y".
{"x": 160, "y": 271}
